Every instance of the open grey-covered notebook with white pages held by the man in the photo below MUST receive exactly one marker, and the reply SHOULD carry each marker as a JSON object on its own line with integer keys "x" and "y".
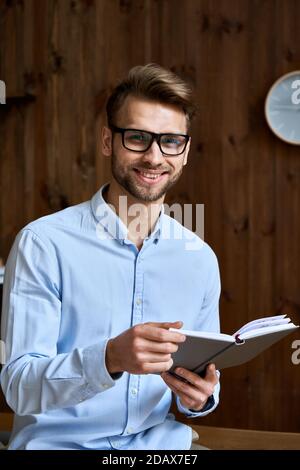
{"x": 202, "y": 348}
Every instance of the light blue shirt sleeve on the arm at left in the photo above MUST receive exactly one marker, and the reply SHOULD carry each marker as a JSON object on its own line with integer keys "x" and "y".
{"x": 35, "y": 378}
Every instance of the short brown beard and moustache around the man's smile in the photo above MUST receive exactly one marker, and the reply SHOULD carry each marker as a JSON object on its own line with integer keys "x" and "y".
{"x": 127, "y": 178}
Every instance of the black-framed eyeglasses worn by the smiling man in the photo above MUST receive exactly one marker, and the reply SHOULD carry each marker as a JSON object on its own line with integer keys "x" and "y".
{"x": 138, "y": 140}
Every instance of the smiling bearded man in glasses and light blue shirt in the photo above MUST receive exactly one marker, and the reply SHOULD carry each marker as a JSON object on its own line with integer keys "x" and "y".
{"x": 92, "y": 291}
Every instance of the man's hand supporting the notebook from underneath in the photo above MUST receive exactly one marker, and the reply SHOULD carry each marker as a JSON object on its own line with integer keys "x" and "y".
{"x": 194, "y": 394}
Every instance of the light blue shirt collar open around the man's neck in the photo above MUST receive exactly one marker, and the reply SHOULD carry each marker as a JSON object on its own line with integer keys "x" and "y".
{"x": 109, "y": 223}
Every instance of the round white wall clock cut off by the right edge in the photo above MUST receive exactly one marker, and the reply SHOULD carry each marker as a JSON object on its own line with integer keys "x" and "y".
{"x": 282, "y": 108}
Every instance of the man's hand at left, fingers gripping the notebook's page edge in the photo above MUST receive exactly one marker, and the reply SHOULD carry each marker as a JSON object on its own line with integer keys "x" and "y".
{"x": 143, "y": 349}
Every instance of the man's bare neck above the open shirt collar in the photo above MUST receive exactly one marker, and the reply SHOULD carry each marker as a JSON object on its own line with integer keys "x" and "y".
{"x": 139, "y": 216}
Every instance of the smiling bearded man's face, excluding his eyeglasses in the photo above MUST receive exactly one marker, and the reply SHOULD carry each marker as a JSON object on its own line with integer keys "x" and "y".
{"x": 132, "y": 170}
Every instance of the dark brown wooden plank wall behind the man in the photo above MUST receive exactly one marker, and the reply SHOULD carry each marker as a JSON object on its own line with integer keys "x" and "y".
{"x": 59, "y": 60}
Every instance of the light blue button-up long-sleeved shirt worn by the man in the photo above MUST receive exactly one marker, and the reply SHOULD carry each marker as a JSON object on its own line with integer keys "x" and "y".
{"x": 72, "y": 281}
